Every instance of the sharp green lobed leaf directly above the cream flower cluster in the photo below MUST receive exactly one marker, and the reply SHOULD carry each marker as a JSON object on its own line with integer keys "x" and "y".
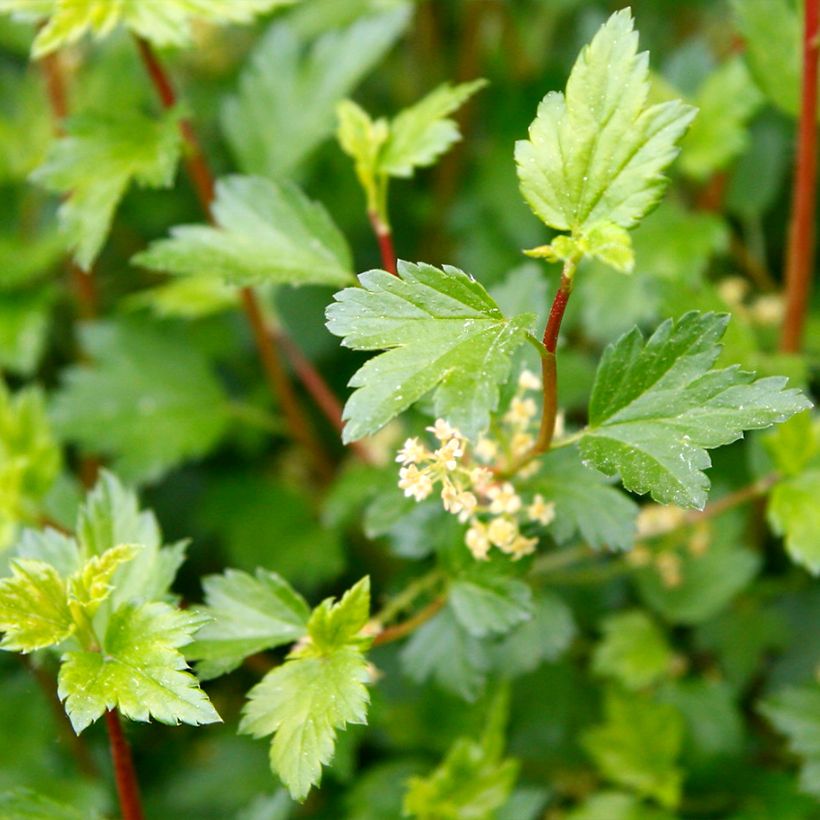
{"x": 442, "y": 332}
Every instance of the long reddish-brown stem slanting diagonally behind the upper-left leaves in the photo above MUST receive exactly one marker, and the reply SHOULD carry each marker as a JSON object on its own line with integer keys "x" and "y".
{"x": 266, "y": 342}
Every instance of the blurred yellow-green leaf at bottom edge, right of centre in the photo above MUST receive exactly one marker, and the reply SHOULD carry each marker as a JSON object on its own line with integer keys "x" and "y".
{"x": 469, "y": 783}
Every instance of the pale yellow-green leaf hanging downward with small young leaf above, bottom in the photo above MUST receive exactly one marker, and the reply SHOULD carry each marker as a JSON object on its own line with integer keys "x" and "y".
{"x": 319, "y": 689}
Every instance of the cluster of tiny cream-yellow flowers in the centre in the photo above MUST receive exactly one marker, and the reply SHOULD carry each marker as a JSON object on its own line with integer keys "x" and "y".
{"x": 494, "y": 510}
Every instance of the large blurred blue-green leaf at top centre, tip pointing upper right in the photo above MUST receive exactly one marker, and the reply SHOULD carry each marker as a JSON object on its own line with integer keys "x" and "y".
{"x": 287, "y": 93}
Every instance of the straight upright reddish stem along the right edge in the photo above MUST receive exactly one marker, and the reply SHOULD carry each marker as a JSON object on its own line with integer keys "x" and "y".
{"x": 800, "y": 252}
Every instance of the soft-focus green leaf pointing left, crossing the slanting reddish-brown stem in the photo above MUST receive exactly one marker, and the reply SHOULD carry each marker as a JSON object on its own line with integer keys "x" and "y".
{"x": 265, "y": 232}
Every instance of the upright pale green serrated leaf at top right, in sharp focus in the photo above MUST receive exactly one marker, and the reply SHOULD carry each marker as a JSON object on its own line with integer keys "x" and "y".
{"x": 598, "y": 154}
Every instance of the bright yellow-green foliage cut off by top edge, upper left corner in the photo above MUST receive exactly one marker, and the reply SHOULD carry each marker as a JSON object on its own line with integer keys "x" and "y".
{"x": 163, "y": 23}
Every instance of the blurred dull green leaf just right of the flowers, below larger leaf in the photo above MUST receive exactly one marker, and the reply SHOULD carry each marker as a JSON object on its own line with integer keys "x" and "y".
{"x": 586, "y": 505}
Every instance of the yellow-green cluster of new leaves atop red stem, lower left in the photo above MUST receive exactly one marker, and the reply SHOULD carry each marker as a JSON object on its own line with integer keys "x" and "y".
{"x": 101, "y": 600}
